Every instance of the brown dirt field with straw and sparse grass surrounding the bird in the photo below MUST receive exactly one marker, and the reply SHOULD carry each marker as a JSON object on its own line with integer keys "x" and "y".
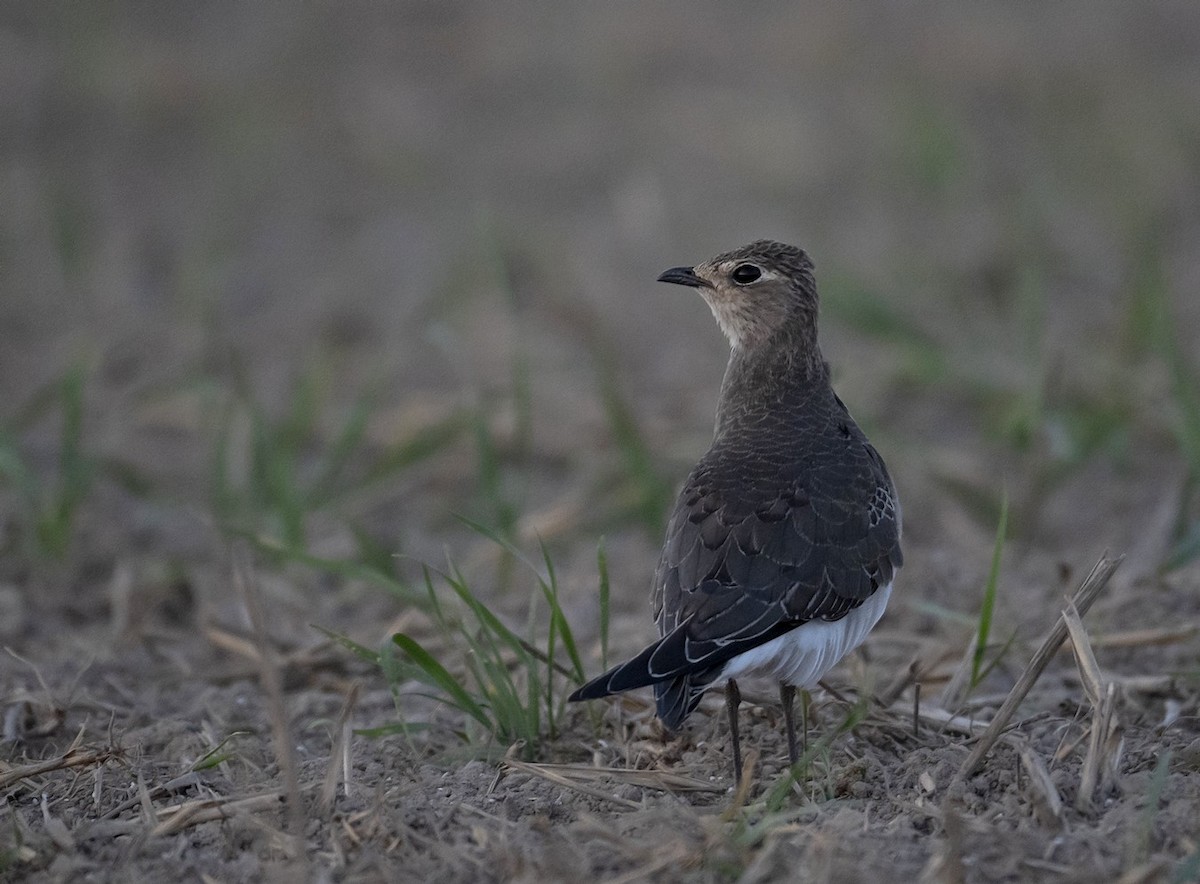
{"x": 284, "y": 297}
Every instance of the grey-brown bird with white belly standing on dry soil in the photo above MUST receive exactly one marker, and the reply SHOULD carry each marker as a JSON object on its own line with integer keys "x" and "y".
{"x": 784, "y": 544}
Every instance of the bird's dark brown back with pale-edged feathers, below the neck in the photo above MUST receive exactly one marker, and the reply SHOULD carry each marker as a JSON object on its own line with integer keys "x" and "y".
{"x": 790, "y": 518}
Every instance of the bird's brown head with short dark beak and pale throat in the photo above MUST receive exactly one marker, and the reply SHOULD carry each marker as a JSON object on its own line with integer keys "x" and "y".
{"x": 757, "y": 292}
